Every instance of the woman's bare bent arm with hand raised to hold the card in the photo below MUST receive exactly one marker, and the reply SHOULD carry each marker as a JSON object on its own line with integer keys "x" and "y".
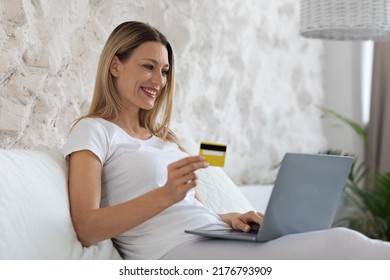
{"x": 93, "y": 224}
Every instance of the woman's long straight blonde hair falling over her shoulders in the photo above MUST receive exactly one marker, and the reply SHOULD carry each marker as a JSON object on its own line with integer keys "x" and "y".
{"x": 106, "y": 104}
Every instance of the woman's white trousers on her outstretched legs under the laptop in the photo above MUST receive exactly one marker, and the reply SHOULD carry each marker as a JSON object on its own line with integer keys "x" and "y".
{"x": 332, "y": 244}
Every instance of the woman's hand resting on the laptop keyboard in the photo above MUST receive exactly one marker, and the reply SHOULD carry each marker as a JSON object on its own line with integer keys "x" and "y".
{"x": 242, "y": 222}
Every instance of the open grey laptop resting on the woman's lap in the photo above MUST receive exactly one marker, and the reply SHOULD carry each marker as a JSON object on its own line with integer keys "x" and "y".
{"x": 304, "y": 198}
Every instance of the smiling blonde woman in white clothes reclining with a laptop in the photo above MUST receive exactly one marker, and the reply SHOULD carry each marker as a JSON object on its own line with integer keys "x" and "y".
{"x": 130, "y": 180}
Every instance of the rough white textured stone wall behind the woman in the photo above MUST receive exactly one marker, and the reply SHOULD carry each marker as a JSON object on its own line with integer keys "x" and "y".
{"x": 244, "y": 75}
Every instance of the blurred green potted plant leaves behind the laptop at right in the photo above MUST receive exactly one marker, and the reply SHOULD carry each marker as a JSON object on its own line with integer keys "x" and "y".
{"x": 368, "y": 206}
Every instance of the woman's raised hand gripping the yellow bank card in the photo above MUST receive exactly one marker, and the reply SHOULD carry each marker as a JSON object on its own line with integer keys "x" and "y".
{"x": 182, "y": 176}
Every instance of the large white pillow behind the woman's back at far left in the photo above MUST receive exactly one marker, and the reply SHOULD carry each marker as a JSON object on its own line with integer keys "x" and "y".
{"x": 35, "y": 221}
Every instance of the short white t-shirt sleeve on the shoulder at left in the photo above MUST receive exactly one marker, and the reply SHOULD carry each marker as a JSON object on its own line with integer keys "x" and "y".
{"x": 87, "y": 134}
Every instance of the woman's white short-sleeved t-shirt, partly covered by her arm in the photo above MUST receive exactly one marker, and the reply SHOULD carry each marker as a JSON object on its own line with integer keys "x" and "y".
{"x": 132, "y": 167}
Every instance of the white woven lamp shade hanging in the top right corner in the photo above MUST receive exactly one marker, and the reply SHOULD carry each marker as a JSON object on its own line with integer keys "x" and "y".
{"x": 346, "y": 19}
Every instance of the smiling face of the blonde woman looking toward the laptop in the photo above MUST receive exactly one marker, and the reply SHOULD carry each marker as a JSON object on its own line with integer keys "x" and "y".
{"x": 142, "y": 76}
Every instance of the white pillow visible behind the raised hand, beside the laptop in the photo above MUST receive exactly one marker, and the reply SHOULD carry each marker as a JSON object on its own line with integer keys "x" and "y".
{"x": 216, "y": 189}
